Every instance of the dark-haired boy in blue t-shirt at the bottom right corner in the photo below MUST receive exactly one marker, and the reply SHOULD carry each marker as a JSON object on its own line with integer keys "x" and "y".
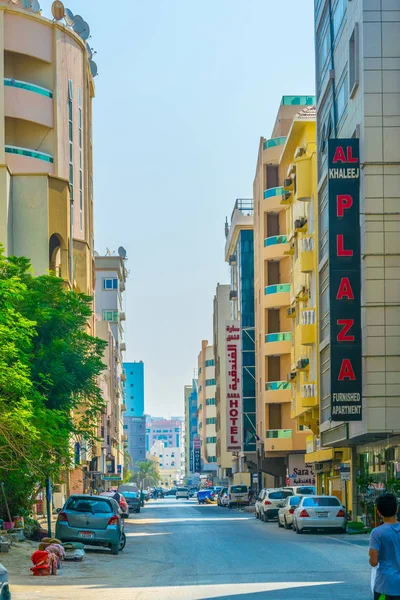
{"x": 384, "y": 550}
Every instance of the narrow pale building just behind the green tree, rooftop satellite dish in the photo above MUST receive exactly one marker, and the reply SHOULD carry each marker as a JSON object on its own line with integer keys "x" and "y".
{"x": 111, "y": 277}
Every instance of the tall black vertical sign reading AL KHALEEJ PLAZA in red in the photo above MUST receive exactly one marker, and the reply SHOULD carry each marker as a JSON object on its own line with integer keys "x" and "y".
{"x": 345, "y": 279}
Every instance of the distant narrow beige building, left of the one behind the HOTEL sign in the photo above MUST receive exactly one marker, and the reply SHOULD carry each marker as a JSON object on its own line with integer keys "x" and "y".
{"x": 207, "y": 413}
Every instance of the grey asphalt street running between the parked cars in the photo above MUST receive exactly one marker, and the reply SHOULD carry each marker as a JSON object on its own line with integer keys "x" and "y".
{"x": 177, "y": 550}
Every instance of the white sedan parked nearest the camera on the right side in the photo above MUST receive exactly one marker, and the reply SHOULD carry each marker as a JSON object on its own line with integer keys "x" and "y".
{"x": 319, "y": 512}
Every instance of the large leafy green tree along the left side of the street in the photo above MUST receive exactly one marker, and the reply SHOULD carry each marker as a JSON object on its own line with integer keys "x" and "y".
{"x": 49, "y": 368}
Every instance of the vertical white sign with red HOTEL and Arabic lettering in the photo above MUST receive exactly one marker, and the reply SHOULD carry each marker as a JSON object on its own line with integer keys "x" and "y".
{"x": 233, "y": 387}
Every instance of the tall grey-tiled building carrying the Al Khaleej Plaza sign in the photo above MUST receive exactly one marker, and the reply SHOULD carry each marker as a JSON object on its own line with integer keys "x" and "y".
{"x": 357, "y": 83}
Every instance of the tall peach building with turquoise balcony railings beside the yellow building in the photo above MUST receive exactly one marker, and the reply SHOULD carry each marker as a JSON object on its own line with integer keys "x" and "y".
{"x": 276, "y": 429}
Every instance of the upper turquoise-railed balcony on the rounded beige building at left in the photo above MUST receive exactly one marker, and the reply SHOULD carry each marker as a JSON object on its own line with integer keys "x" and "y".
{"x": 27, "y": 101}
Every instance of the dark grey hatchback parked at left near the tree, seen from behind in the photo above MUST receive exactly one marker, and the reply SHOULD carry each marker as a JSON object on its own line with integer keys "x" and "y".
{"x": 93, "y": 520}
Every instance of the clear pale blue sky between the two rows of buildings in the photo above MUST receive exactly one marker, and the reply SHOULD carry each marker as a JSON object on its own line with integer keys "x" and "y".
{"x": 185, "y": 90}
